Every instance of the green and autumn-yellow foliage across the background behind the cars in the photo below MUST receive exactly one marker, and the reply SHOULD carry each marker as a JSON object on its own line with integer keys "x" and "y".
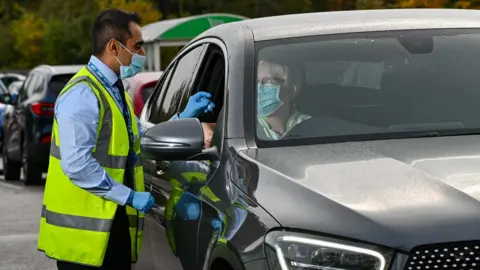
{"x": 57, "y": 31}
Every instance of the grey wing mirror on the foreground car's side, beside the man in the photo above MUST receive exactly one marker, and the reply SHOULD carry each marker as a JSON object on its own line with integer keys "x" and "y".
{"x": 176, "y": 140}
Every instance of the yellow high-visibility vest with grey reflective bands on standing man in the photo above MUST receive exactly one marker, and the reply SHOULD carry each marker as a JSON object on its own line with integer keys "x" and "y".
{"x": 75, "y": 224}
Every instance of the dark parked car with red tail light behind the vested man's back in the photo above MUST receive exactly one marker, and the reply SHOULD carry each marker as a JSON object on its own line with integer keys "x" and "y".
{"x": 27, "y": 126}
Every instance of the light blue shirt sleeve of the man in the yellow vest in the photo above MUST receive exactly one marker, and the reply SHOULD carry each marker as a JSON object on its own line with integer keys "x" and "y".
{"x": 77, "y": 114}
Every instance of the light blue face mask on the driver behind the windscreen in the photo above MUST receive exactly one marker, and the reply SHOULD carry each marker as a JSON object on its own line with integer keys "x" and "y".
{"x": 268, "y": 100}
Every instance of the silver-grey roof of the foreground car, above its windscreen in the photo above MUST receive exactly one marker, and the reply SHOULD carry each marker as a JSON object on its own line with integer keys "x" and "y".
{"x": 336, "y": 22}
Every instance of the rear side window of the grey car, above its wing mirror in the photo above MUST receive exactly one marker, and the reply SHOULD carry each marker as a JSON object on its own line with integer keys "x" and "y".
{"x": 180, "y": 83}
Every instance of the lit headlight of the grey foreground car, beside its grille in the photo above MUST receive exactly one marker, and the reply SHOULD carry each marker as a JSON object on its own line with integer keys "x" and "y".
{"x": 295, "y": 251}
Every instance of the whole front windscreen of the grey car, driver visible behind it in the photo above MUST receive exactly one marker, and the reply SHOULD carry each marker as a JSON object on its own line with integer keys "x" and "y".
{"x": 381, "y": 84}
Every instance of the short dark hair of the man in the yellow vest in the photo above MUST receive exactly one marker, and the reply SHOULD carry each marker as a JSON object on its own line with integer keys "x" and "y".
{"x": 111, "y": 24}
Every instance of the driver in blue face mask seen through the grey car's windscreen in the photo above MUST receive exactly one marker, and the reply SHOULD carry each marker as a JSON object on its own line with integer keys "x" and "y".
{"x": 276, "y": 93}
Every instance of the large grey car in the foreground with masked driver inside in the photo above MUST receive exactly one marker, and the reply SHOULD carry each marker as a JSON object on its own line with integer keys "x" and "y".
{"x": 384, "y": 175}
